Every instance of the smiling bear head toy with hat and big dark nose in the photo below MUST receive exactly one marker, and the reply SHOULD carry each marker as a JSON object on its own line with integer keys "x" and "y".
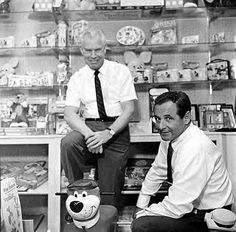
{"x": 83, "y": 203}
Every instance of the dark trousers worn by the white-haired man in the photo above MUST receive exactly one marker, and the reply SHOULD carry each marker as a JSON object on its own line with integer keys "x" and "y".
{"x": 110, "y": 164}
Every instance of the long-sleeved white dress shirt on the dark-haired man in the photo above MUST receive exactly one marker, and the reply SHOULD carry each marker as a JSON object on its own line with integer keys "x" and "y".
{"x": 200, "y": 179}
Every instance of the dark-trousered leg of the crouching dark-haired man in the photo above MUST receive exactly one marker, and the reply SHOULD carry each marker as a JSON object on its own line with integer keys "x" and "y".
{"x": 167, "y": 224}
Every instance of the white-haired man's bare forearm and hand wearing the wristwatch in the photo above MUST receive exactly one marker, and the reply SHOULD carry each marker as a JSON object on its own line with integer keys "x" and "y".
{"x": 100, "y": 137}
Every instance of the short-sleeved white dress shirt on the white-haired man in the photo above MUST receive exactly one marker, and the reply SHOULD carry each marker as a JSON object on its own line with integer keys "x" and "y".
{"x": 116, "y": 83}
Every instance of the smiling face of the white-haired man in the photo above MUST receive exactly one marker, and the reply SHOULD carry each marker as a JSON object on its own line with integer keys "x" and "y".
{"x": 94, "y": 52}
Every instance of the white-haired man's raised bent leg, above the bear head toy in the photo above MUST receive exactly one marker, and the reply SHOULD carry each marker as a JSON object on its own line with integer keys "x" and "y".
{"x": 74, "y": 155}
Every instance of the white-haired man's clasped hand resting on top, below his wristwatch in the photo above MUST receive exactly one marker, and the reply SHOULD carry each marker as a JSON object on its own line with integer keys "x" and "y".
{"x": 96, "y": 139}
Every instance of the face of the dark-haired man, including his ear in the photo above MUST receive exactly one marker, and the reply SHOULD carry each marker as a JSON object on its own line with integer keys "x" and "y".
{"x": 169, "y": 122}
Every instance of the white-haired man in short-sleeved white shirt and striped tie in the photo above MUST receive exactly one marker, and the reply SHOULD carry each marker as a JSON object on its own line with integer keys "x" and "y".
{"x": 106, "y": 90}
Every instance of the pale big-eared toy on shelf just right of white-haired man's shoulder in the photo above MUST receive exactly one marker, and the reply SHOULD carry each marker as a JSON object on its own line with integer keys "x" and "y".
{"x": 136, "y": 64}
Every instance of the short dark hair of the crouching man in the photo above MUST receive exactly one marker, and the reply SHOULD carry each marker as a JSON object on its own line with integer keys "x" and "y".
{"x": 181, "y": 99}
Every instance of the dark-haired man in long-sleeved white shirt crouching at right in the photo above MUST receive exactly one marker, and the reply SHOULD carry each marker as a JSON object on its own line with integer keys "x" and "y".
{"x": 193, "y": 166}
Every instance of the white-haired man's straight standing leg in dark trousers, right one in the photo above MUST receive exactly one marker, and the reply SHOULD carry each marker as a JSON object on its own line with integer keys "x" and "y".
{"x": 111, "y": 168}
